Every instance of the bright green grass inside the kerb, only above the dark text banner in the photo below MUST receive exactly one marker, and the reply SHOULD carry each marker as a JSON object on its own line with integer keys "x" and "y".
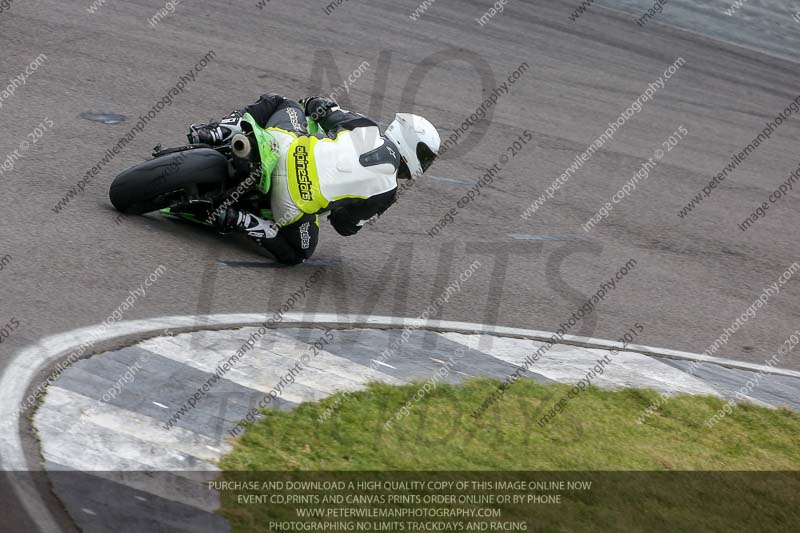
{"x": 598, "y": 430}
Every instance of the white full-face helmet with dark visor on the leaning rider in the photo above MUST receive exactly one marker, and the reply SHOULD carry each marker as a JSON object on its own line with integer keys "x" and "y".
{"x": 417, "y": 140}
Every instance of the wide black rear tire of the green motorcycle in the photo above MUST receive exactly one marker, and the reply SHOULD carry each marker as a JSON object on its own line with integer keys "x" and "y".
{"x": 158, "y": 183}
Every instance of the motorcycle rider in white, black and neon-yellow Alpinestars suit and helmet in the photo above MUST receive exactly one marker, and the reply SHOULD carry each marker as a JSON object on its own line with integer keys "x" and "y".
{"x": 350, "y": 171}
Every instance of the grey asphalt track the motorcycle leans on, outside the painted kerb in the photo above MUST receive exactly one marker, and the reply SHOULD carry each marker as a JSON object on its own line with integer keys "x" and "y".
{"x": 693, "y": 276}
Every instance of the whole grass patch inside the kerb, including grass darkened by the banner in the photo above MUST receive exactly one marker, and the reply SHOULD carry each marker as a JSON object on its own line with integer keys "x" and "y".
{"x": 670, "y": 473}
